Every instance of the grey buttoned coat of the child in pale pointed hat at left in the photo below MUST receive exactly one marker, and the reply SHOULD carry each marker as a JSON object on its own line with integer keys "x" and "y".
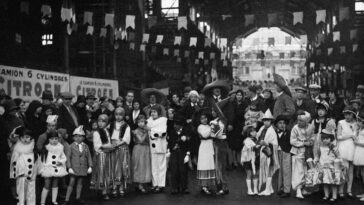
{"x": 79, "y": 161}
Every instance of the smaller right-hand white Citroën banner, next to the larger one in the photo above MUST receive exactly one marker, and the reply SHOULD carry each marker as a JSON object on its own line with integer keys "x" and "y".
{"x": 95, "y": 86}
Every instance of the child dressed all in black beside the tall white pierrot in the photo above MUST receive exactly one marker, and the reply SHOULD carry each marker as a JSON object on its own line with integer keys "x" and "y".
{"x": 179, "y": 147}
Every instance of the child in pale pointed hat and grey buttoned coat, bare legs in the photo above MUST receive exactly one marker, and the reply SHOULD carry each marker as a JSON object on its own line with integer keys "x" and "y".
{"x": 79, "y": 163}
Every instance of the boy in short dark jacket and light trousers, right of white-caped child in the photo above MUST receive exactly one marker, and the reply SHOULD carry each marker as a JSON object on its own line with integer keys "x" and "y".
{"x": 284, "y": 156}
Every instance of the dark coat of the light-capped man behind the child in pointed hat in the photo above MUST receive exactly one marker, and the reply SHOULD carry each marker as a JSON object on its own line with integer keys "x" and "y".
{"x": 65, "y": 121}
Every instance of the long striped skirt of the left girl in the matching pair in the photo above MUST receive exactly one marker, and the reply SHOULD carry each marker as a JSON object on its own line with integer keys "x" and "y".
{"x": 102, "y": 175}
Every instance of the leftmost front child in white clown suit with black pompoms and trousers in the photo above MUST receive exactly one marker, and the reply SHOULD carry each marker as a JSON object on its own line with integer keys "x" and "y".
{"x": 23, "y": 167}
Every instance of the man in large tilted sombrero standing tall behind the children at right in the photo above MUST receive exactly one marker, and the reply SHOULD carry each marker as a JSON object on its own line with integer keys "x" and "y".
{"x": 284, "y": 104}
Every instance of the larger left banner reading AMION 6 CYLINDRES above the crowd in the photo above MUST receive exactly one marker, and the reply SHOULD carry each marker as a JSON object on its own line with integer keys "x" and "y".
{"x": 29, "y": 84}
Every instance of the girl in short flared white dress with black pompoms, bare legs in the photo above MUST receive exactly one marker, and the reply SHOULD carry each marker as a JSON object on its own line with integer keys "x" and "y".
{"x": 53, "y": 166}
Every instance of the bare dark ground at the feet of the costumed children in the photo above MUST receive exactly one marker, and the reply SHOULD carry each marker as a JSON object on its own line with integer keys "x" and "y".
{"x": 237, "y": 196}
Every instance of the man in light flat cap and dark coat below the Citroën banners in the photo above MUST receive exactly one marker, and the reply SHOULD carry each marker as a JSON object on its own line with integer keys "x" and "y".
{"x": 68, "y": 118}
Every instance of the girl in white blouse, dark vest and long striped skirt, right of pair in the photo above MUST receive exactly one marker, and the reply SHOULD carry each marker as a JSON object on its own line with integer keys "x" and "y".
{"x": 120, "y": 157}
